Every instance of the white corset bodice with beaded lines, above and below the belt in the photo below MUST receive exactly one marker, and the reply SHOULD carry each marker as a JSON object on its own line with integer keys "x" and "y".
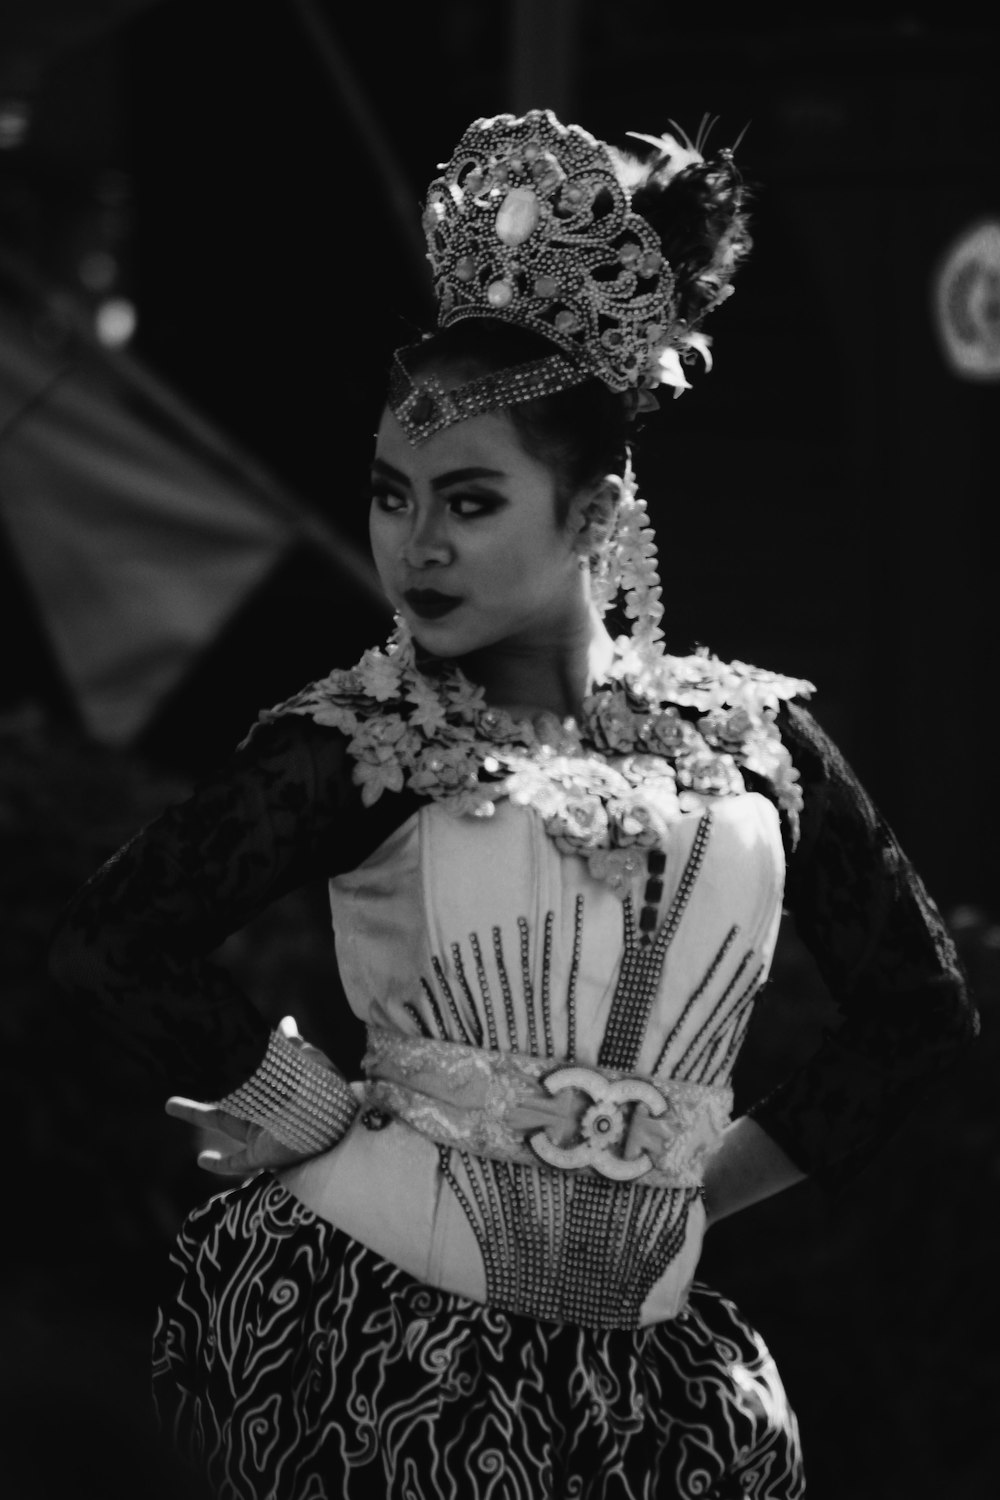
{"x": 481, "y": 931}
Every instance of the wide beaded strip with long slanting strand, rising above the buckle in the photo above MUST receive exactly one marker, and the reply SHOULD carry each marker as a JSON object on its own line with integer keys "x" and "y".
{"x": 642, "y": 965}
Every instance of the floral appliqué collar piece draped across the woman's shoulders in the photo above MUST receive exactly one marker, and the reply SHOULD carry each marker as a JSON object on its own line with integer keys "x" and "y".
{"x": 656, "y": 740}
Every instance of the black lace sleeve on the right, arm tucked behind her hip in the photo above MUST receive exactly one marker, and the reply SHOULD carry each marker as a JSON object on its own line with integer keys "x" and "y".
{"x": 888, "y": 961}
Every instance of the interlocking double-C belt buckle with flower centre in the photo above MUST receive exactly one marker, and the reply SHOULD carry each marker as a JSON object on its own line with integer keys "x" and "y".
{"x": 602, "y": 1126}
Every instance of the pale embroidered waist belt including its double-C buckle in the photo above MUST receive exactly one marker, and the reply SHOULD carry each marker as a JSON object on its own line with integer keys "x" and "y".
{"x": 512, "y": 1108}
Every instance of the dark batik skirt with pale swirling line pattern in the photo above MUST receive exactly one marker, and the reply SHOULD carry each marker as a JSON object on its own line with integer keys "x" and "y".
{"x": 295, "y": 1364}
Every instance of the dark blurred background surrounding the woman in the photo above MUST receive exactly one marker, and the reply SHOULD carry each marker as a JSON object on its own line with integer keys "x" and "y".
{"x": 208, "y": 253}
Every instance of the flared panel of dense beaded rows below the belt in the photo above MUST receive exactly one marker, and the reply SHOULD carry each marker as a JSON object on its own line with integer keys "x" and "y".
{"x": 567, "y": 1249}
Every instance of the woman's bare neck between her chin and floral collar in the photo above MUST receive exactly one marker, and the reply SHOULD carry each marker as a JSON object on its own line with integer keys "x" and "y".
{"x": 528, "y": 679}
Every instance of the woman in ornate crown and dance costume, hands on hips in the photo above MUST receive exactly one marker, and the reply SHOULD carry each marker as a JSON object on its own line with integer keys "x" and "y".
{"x": 557, "y": 868}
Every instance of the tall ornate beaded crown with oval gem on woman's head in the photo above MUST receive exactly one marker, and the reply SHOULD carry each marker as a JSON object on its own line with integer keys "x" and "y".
{"x": 530, "y": 224}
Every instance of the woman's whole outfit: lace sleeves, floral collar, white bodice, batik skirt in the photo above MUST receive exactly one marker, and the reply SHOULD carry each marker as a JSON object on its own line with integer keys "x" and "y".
{"x": 488, "y": 1286}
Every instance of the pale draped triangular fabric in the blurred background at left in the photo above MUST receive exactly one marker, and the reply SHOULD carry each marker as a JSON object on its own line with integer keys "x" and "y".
{"x": 137, "y": 542}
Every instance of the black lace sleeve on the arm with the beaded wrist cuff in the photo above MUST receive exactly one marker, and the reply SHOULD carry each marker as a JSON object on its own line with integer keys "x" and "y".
{"x": 136, "y": 943}
